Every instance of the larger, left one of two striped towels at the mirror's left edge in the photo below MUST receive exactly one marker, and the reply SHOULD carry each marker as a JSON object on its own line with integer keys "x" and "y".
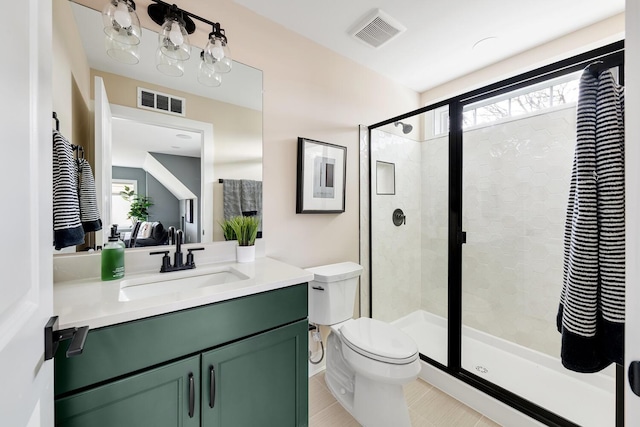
{"x": 67, "y": 228}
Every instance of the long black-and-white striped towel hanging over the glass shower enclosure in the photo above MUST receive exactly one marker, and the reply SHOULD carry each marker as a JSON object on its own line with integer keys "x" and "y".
{"x": 591, "y": 314}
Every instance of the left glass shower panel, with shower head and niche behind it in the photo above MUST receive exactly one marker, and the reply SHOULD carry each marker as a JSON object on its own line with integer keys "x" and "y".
{"x": 409, "y": 257}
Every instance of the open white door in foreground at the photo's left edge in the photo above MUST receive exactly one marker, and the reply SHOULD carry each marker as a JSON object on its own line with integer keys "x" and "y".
{"x": 26, "y": 257}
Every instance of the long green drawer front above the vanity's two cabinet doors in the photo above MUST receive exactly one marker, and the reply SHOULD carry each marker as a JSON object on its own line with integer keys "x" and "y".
{"x": 121, "y": 349}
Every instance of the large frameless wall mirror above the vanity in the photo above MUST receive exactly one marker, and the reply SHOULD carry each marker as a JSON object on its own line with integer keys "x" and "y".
{"x": 179, "y": 160}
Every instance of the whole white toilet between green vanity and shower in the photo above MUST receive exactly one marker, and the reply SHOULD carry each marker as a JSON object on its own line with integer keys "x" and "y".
{"x": 368, "y": 360}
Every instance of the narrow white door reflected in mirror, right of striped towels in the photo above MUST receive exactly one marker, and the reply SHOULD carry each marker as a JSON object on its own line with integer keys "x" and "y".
{"x": 103, "y": 130}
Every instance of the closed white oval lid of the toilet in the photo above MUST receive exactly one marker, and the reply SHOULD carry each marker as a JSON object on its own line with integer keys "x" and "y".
{"x": 379, "y": 340}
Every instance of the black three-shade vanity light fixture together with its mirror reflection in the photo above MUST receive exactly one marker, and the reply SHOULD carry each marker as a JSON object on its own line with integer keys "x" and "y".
{"x": 122, "y": 27}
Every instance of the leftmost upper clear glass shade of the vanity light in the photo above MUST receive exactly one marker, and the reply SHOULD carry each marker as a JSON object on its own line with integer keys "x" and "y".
{"x": 121, "y": 22}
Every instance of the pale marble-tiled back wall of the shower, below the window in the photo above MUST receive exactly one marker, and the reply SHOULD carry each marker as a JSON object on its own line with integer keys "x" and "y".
{"x": 515, "y": 187}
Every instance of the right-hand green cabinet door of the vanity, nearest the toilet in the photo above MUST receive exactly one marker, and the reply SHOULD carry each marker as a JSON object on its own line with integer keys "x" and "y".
{"x": 260, "y": 381}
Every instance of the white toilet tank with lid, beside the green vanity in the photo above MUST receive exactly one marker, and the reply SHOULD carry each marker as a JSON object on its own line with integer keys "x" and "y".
{"x": 332, "y": 293}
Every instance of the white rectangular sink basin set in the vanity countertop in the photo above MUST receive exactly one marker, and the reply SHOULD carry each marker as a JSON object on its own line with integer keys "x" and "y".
{"x": 176, "y": 282}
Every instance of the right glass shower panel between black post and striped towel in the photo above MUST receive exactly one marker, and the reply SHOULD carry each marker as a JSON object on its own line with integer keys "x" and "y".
{"x": 517, "y": 152}
